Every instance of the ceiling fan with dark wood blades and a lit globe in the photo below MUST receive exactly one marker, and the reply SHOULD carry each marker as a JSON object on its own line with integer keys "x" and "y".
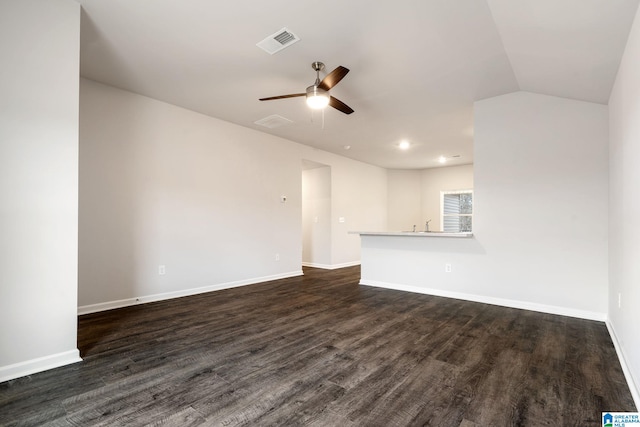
{"x": 318, "y": 94}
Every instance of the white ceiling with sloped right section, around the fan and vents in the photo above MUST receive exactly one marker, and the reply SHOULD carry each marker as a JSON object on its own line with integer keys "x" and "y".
{"x": 416, "y": 66}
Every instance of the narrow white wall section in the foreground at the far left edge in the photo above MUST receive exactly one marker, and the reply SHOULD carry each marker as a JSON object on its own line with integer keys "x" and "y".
{"x": 39, "y": 47}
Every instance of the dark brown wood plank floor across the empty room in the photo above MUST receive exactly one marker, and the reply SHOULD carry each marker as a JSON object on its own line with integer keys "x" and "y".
{"x": 321, "y": 350}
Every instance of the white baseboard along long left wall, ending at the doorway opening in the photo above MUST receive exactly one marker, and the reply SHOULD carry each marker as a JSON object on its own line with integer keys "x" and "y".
{"x": 110, "y": 305}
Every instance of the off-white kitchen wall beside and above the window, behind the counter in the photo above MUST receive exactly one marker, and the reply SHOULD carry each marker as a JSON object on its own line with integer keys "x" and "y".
{"x": 414, "y": 195}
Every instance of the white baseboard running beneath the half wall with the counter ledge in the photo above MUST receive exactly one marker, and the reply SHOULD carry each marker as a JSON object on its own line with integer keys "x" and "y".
{"x": 563, "y": 311}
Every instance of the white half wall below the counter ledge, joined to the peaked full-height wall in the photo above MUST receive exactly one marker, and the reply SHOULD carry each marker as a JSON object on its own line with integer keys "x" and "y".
{"x": 540, "y": 235}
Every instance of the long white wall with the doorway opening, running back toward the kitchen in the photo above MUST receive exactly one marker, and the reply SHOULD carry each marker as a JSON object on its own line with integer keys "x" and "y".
{"x": 161, "y": 185}
